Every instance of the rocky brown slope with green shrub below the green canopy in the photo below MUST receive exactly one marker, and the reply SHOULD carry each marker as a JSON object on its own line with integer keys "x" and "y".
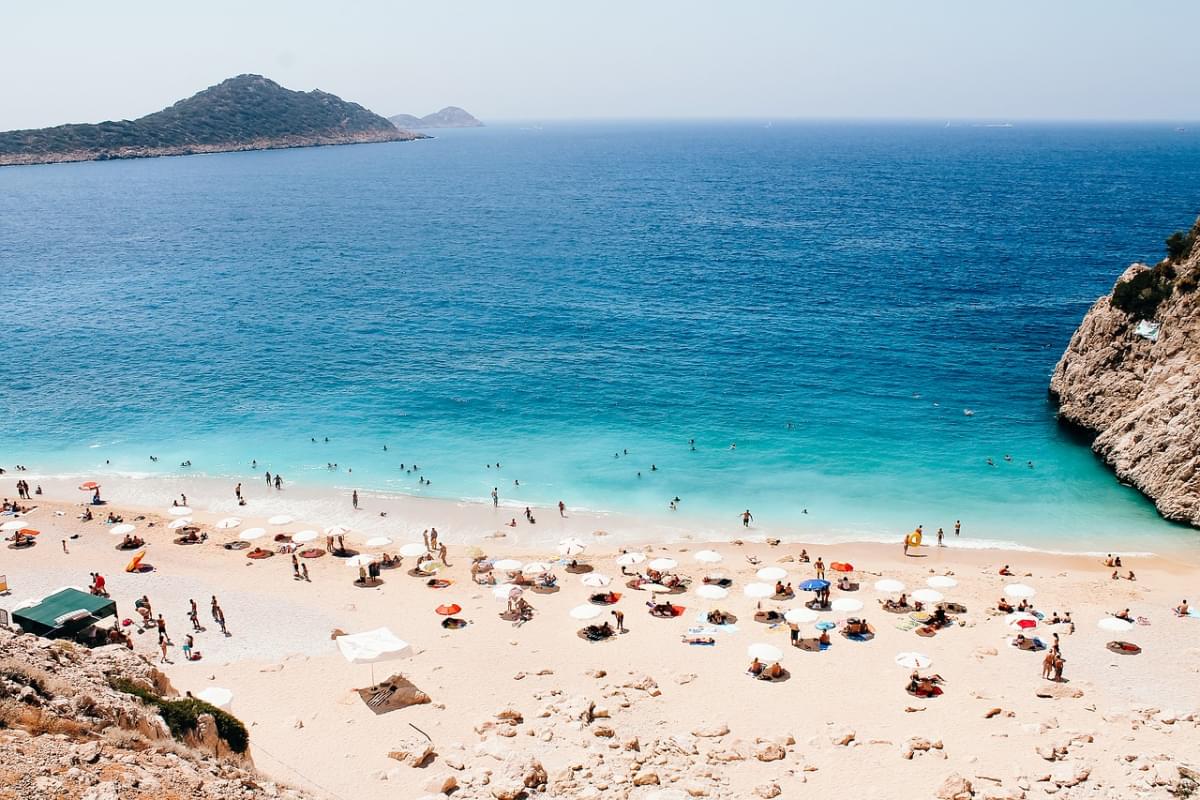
{"x": 74, "y": 725}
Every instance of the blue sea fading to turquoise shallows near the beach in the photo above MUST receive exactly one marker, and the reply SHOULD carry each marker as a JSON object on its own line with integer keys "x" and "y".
{"x": 830, "y": 297}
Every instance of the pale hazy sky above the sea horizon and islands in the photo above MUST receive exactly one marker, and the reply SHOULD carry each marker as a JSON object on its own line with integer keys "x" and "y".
{"x": 81, "y": 61}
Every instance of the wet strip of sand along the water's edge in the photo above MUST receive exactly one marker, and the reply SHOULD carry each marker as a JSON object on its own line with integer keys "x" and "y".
{"x": 471, "y": 521}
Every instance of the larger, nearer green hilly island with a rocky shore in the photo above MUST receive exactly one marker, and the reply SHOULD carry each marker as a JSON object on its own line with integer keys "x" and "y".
{"x": 244, "y": 113}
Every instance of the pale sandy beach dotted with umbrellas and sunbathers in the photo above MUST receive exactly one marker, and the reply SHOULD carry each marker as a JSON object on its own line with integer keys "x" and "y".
{"x": 668, "y": 719}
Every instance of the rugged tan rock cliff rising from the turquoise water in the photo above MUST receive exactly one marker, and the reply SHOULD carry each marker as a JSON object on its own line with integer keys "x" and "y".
{"x": 1131, "y": 376}
